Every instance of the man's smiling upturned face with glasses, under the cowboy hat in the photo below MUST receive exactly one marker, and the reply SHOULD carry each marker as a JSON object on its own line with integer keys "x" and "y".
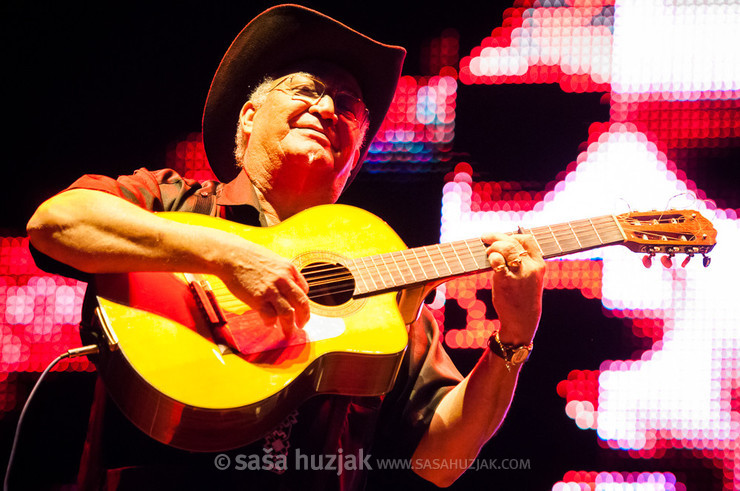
{"x": 299, "y": 147}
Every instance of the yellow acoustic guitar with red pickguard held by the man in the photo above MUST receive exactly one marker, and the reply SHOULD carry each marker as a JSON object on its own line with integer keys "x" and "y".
{"x": 168, "y": 341}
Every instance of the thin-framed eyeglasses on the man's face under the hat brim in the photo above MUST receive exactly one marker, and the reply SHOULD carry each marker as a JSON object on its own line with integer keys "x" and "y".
{"x": 310, "y": 90}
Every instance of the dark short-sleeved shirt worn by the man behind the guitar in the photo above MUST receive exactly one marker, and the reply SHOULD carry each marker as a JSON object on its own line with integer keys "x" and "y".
{"x": 119, "y": 456}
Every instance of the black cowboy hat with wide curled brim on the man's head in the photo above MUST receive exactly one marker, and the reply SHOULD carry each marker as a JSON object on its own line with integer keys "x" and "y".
{"x": 280, "y": 37}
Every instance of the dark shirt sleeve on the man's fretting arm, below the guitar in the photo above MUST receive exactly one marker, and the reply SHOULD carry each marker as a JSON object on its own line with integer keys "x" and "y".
{"x": 426, "y": 375}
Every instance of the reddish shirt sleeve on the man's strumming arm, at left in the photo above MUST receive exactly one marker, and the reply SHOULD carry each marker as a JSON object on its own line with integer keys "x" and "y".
{"x": 160, "y": 190}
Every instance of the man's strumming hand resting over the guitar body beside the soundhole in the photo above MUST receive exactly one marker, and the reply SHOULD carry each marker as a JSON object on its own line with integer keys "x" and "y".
{"x": 271, "y": 285}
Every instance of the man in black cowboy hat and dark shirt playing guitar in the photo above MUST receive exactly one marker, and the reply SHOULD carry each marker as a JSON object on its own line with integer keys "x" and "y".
{"x": 319, "y": 92}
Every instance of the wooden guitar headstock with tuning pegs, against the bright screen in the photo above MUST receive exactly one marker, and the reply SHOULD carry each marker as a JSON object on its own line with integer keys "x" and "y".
{"x": 668, "y": 232}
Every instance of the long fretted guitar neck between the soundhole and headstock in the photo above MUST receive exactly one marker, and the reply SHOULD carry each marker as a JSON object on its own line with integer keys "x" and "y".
{"x": 401, "y": 269}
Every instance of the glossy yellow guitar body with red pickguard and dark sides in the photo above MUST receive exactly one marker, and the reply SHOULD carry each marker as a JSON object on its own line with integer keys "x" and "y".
{"x": 174, "y": 379}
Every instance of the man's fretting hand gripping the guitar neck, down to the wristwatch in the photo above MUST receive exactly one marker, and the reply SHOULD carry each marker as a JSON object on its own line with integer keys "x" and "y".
{"x": 518, "y": 279}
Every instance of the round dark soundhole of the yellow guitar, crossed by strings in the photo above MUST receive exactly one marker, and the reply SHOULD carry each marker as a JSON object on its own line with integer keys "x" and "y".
{"x": 329, "y": 283}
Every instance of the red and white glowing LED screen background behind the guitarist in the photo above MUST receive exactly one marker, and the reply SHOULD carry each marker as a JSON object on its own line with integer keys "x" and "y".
{"x": 633, "y": 383}
